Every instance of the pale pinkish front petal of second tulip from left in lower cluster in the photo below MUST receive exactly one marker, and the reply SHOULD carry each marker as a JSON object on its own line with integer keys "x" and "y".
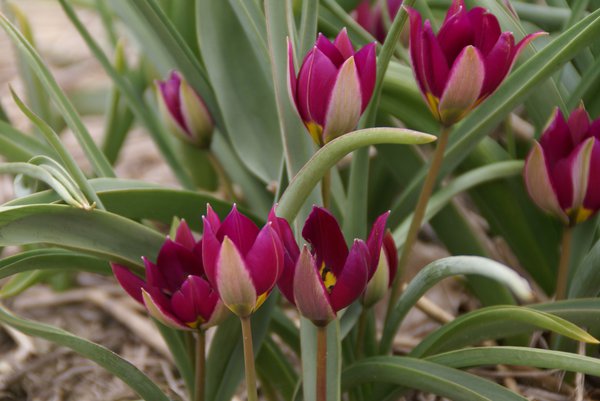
{"x": 234, "y": 283}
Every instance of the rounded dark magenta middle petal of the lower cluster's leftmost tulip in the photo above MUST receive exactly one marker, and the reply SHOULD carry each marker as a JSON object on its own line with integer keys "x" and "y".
{"x": 195, "y": 302}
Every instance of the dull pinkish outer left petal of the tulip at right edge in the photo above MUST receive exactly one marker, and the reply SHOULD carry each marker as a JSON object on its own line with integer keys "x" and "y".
{"x": 539, "y": 184}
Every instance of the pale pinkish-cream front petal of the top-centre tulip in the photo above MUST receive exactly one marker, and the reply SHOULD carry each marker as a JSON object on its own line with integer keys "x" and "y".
{"x": 344, "y": 107}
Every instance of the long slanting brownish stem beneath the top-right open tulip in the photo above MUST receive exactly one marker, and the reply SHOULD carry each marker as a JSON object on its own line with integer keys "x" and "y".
{"x": 415, "y": 224}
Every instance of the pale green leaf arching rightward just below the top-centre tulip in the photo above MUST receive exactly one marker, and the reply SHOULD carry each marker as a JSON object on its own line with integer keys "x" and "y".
{"x": 304, "y": 182}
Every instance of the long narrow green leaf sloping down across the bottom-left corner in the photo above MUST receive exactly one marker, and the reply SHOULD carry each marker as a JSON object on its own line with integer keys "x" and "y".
{"x": 104, "y": 357}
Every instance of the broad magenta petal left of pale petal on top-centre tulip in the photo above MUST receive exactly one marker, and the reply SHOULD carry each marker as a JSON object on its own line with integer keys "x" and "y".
{"x": 315, "y": 81}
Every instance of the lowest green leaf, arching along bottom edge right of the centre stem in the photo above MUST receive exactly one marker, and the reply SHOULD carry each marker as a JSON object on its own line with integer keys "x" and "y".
{"x": 425, "y": 376}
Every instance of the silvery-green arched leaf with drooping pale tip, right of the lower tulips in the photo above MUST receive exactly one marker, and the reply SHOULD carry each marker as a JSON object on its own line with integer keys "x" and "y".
{"x": 439, "y": 270}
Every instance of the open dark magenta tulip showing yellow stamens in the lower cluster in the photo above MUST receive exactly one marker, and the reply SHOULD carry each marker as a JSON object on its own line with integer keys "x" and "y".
{"x": 329, "y": 277}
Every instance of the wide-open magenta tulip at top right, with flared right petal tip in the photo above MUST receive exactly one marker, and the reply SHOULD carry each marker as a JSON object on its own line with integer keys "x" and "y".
{"x": 467, "y": 60}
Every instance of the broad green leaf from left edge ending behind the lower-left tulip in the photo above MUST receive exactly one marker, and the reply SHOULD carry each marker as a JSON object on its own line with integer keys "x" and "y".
{"x": 94, "y": 232}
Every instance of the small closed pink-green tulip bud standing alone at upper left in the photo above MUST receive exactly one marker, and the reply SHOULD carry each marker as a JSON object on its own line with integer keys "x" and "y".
{"x": 184, "y": 111}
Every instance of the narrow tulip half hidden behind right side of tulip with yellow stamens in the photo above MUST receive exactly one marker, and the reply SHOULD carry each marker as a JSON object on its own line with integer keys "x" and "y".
{"x": 384, "y": 274}
